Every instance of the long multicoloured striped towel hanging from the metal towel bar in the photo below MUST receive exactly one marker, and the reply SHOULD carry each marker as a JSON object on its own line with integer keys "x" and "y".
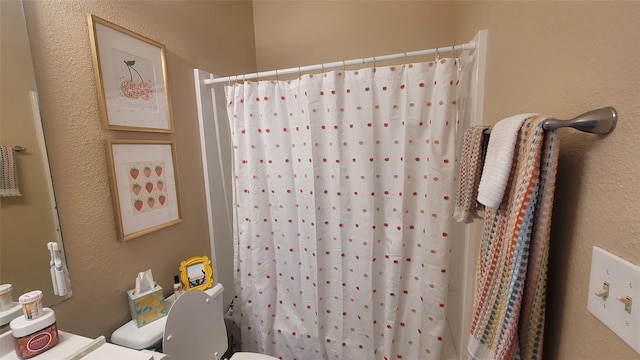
{"x": 509, "y": 300}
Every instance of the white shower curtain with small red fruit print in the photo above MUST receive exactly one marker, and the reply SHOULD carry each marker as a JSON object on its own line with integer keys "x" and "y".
{"x": 344, "y": 191}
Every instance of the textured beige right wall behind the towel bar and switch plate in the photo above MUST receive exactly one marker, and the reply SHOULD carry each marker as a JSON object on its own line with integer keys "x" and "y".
{"x": 563, "y": 58}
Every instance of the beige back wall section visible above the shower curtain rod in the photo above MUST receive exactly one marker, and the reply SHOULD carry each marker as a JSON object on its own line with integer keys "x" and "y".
{"x": 293, "y": 33}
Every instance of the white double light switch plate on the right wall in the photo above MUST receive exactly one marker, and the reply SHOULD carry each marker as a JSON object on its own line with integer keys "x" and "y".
{"x": 623, "y": 278}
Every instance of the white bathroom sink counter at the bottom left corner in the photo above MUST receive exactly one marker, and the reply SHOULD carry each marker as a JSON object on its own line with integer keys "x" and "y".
{"x": 70, "y": 344}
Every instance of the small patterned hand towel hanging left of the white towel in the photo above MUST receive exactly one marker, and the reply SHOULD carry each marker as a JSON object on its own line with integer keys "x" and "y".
{"x": 469, "y": 176}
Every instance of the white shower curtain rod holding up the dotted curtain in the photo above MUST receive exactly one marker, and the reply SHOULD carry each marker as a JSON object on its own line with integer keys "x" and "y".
{"x": 468, "y": 46}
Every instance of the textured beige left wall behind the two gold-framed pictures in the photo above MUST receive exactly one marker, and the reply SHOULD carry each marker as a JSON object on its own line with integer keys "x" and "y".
{"x": 196, "y": 34}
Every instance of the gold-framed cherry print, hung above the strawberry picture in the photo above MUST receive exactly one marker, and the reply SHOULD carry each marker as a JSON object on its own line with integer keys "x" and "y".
{"x": 131, "y": 77}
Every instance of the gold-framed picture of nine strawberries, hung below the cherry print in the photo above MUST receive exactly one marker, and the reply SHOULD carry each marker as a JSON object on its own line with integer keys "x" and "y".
{"x": 144, "y": 186}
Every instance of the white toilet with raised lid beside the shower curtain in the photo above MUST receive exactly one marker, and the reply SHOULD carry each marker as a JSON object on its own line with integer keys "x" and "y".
{"x": 193, "y": 329}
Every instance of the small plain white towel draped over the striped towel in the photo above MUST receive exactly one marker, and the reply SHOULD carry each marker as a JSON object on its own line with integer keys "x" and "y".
{"x": 498, "y": 160}
